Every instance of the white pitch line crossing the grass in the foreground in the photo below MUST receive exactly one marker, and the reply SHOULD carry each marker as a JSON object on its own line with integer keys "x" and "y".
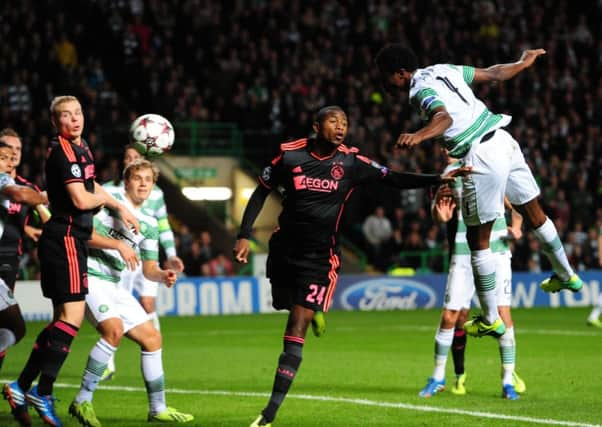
{"x": 363, "y": 402}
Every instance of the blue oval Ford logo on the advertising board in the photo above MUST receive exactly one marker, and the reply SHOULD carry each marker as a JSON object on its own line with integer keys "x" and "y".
{"x": 388, "y": 294}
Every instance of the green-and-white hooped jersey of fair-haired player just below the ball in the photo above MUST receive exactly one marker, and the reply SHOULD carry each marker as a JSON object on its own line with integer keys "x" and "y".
{"x": 107, "y": 263}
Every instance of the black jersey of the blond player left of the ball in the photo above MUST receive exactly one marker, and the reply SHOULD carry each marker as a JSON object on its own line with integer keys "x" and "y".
{"x": 68, "y": 163}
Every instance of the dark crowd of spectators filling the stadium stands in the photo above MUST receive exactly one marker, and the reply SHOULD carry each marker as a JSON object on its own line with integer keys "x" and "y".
{"x": 268, "y": 65}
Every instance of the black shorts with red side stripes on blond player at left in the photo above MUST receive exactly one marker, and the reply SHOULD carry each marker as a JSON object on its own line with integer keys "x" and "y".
{"x": 63, "y": 267}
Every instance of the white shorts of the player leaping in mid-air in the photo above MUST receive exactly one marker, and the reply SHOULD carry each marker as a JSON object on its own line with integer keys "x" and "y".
{"x": 498, "y": 168}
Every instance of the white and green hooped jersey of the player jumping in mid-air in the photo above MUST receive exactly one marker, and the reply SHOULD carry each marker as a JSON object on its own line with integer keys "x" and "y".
{"x": 448, "y": 85}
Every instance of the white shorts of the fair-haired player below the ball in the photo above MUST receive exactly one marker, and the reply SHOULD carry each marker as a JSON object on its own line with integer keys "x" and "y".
{"x": 106, "y": 300}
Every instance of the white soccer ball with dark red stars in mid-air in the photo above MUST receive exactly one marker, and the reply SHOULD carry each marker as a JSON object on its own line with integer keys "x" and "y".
{"x": 151, "y": 135}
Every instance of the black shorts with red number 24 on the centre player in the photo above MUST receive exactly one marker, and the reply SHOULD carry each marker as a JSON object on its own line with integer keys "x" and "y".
{"x": 306, "y": 279}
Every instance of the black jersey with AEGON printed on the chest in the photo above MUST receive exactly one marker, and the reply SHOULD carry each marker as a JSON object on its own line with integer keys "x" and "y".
{"x": 315, "y": 190}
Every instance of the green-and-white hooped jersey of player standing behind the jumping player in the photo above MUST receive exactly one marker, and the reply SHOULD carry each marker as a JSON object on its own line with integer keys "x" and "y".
{"x": 499, "y": 232}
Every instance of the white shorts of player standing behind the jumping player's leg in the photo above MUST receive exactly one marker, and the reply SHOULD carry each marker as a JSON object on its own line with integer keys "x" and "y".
{"x": 460, "y": 282}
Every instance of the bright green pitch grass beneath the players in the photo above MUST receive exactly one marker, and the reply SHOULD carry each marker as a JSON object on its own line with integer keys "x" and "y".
{"x": 221, "y": 369}
